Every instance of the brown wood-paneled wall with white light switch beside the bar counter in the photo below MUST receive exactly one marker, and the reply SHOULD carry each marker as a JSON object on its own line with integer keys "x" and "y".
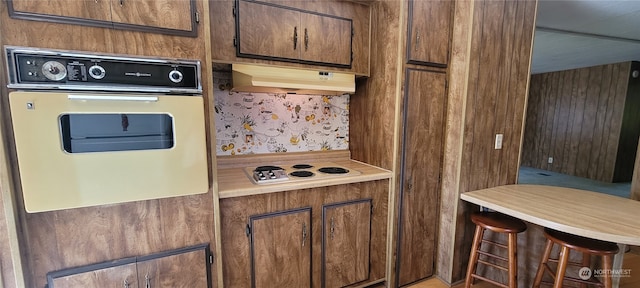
{"x": 498, "y": 73}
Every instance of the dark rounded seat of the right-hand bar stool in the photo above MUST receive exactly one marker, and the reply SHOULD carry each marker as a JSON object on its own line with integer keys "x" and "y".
{"x": 581, "y": 244}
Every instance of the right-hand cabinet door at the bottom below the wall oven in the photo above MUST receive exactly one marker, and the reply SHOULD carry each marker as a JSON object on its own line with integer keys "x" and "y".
{"x": 185, "y": 269}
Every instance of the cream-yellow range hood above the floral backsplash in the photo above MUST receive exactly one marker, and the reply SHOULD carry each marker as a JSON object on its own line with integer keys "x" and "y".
{"x": 255, "y": 78}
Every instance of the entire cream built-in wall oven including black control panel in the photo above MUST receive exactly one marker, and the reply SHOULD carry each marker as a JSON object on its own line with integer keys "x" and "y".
{"x": 102, "y": 129}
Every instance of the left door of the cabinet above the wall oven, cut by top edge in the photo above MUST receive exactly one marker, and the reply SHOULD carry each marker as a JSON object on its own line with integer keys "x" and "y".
{"x": 83, "y": 9}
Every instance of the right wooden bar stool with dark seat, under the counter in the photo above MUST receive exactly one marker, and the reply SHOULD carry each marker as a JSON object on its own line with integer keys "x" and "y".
{"x": 586, "y": 246}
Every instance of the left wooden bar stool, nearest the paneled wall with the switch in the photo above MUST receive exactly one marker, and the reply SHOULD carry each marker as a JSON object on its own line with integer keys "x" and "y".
{"x": 498, "y": 223}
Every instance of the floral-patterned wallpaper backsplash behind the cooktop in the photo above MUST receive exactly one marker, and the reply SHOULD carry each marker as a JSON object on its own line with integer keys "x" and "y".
{"x": 257, "y": 123}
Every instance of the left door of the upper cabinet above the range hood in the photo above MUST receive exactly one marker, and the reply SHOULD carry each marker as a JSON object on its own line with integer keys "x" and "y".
{"x": 267, "y": 31}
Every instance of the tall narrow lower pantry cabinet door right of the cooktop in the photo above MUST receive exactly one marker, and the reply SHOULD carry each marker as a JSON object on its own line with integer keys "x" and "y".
{"x": 423, "y": 136}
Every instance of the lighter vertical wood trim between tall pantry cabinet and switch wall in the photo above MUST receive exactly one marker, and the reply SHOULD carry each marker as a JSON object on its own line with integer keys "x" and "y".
{"x": 459, "y": 66}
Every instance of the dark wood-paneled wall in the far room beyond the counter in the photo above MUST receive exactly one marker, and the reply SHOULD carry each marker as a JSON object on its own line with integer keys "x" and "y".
{"x": 575, "y": 116}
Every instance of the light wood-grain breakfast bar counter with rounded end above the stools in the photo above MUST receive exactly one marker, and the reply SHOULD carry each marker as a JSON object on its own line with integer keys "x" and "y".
{"x": 579, "y": 212}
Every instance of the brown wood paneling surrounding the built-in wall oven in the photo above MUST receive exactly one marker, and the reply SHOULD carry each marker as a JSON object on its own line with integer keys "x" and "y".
{"x": 75, "y": 237}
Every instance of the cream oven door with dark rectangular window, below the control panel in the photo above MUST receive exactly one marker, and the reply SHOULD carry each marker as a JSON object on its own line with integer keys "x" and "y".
{"x": 78, "y": 150}
